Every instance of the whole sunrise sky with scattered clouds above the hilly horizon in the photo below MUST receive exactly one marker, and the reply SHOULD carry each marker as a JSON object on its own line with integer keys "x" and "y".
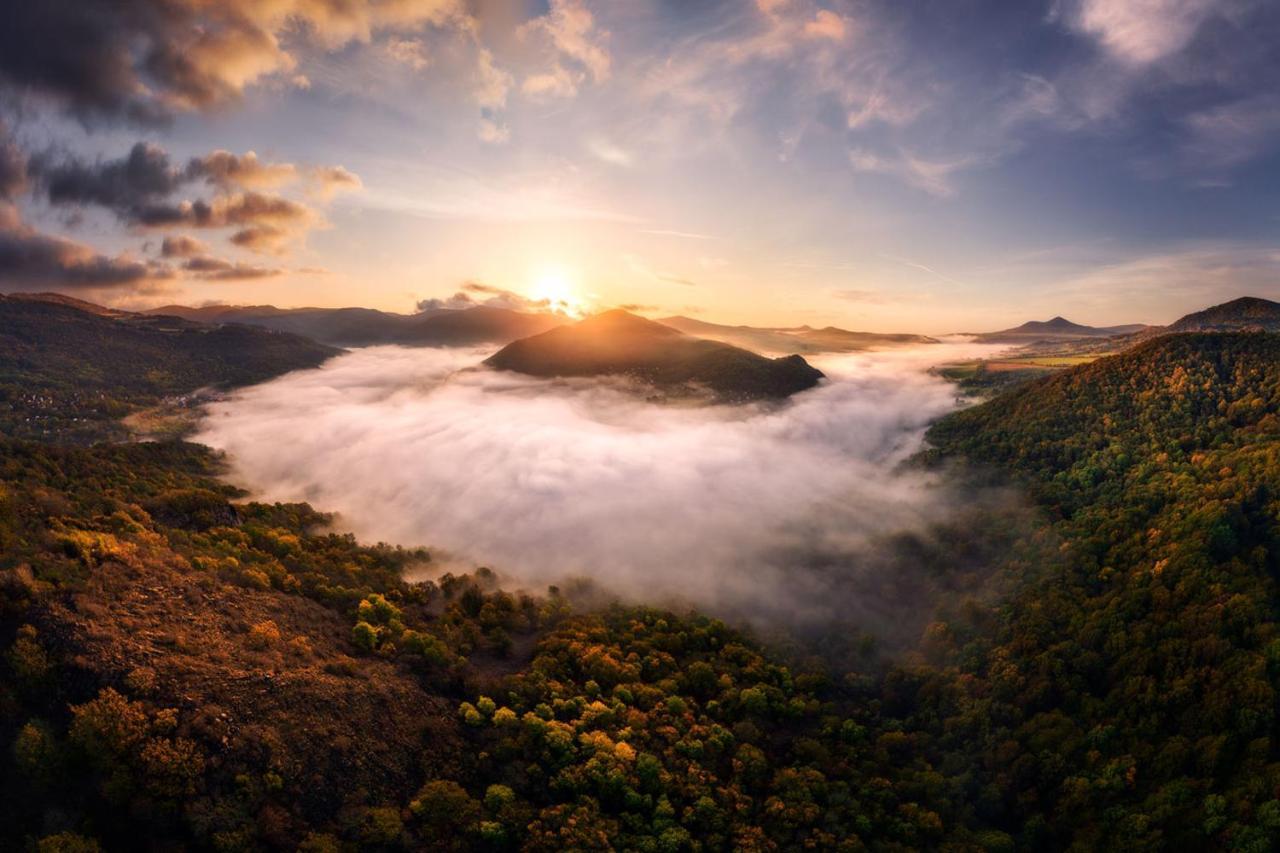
{"x": 906, "y": 166}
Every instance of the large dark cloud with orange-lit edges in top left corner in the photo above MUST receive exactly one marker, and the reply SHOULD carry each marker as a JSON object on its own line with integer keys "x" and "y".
{"x": 145, "y": 60}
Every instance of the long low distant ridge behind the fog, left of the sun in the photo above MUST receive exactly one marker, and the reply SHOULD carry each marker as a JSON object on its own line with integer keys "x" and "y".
{"x": 362, "y": 327}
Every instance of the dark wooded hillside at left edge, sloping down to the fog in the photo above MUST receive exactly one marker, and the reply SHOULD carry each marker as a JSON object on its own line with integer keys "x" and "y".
{"x": 70, "y": 368}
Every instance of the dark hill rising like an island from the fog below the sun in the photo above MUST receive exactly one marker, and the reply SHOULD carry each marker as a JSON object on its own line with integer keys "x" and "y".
{"x": 621, "y": 344}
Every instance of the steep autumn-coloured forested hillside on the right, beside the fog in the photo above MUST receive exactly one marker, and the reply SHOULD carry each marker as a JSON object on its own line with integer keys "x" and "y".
{"x": 1128, "y": 699}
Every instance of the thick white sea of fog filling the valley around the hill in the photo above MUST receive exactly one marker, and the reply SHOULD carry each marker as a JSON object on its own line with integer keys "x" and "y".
{"x": 551, "y": 480}
